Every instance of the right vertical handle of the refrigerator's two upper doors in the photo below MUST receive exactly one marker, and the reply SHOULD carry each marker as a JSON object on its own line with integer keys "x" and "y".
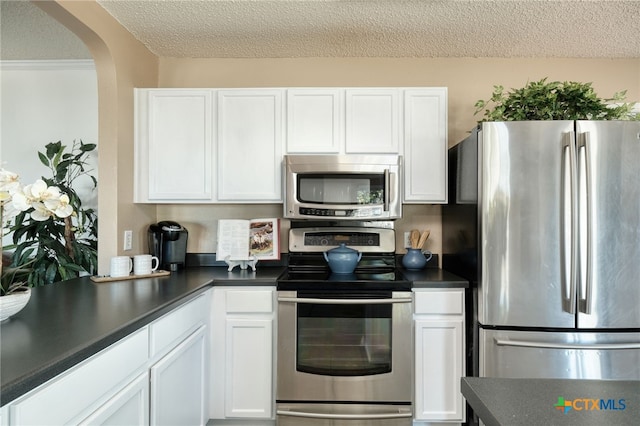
{"x": 584, "y": 220}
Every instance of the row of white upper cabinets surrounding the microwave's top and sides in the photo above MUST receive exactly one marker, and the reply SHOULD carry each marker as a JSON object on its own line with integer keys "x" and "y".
{"x": 226, "y": 145}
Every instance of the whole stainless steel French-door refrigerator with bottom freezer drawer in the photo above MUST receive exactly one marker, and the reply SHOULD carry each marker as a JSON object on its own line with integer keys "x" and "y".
{"x": 544, "y": 220}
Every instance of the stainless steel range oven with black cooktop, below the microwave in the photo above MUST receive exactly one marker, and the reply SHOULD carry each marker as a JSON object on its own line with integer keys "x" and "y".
{"x": 344, "y": 340}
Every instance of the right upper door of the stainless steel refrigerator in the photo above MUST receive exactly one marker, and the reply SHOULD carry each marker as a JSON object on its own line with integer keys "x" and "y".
{"x": 609, "y": 199}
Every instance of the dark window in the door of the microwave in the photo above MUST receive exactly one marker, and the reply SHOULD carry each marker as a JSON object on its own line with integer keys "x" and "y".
{"x": 357, "y": 189}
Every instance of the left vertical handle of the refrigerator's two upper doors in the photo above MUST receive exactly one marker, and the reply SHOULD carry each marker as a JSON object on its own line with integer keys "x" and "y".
{"x": 569, "y": 229}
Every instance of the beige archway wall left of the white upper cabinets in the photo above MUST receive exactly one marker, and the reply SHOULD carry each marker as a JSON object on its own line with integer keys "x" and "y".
{"x": 122, "y": 63}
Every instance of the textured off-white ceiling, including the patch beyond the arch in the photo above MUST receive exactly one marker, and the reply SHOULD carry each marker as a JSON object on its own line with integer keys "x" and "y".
{"x": 345, "y": 28}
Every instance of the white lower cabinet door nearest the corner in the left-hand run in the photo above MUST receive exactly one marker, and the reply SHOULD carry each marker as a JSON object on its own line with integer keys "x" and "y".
{"x": 178, "y": 389}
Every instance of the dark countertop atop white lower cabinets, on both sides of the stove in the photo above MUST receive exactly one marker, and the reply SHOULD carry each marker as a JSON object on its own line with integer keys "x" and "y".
{"x": 67, "y": 322}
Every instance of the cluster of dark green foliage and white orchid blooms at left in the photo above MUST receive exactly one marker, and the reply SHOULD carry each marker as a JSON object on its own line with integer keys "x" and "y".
{"x": 54, "y": 236}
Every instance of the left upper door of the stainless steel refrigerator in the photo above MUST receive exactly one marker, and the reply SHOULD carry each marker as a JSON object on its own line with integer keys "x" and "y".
{"x": 526, "y": 172}
